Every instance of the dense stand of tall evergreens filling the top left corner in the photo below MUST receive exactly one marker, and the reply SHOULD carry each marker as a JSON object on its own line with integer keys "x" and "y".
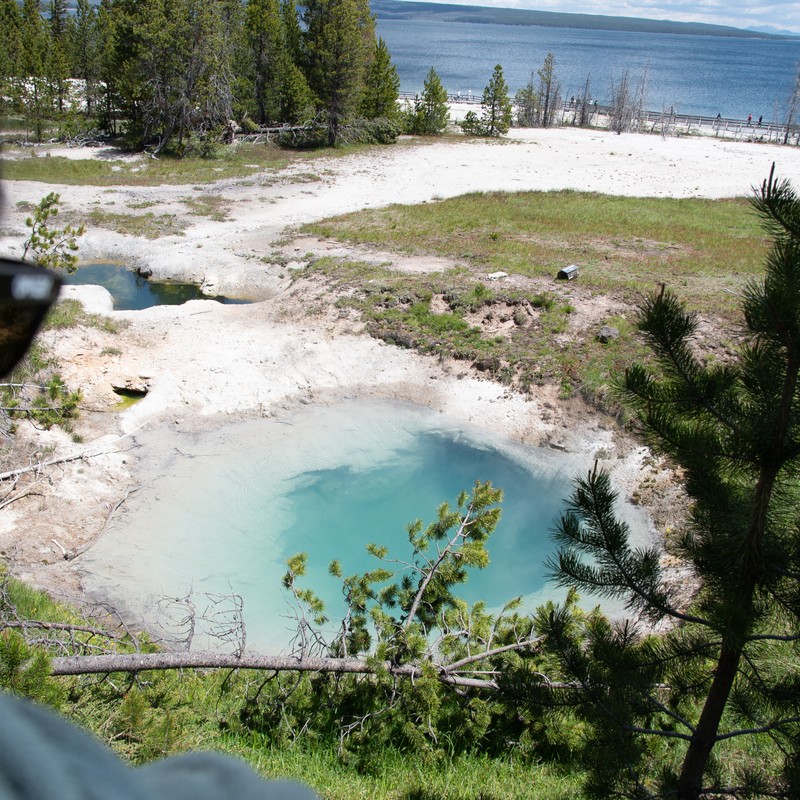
{"x": 175, "y": 75}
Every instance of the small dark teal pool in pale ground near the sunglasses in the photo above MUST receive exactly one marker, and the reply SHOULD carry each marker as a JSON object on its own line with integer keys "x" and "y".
{"x": 131, "y": 292}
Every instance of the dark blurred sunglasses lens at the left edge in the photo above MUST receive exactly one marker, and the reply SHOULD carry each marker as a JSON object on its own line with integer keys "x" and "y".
{"x": 26, "y": 293}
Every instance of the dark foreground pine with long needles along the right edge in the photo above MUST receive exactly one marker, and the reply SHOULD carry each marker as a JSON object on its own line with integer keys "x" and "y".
{"x": 727, "y": 667}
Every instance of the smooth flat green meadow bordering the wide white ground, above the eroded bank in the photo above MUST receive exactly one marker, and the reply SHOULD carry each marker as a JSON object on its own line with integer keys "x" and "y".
{"x": 703, "y": 249}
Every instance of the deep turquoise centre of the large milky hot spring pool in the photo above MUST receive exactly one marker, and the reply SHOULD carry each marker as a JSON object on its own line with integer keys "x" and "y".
{"x": 432, "y": 467}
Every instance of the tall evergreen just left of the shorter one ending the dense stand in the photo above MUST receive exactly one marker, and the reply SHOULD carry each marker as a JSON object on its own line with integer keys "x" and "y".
{"x": 339, "y": 42}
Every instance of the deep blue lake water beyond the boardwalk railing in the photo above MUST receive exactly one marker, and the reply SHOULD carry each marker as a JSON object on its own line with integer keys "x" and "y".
{"x": 703, "y": 75}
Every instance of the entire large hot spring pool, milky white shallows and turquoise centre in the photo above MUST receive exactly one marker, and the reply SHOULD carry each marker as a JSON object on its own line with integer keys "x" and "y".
{"x": 222, "y": 511}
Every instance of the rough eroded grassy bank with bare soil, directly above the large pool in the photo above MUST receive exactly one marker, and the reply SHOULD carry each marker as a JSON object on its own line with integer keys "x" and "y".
{"x": 514, "y": 336}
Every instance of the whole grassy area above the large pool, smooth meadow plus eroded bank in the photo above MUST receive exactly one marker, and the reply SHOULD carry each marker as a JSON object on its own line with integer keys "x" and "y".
{"x": 704, "y": 250}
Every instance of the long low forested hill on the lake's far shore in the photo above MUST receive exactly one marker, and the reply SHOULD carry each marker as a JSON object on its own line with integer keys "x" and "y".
{"x": 408, "y": 9}
